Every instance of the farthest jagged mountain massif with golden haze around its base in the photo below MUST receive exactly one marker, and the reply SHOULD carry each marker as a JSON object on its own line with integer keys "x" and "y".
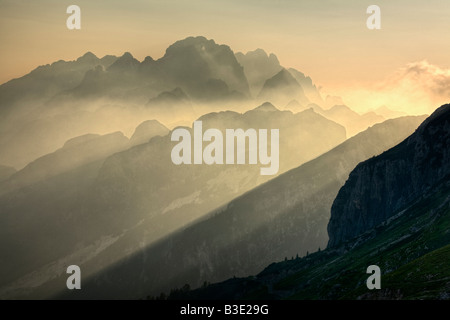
{"x": 57, "y": 102}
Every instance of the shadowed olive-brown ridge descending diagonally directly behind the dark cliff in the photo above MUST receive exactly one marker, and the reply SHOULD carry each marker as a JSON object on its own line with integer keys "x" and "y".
{"x": 286, "y": 216}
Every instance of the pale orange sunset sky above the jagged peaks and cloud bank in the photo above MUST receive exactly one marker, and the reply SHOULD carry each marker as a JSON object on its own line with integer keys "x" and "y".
{"x": 327, "y": 40}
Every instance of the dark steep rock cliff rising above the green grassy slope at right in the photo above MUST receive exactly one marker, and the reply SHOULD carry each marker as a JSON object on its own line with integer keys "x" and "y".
{"x": 379, "y": 187}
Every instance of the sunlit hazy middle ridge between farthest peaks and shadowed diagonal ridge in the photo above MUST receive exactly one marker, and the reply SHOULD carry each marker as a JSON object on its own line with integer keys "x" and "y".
{"x": 136, "y": 194}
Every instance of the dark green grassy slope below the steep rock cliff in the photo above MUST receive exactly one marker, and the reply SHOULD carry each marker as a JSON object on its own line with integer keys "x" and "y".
{"x": 412, "y": 249}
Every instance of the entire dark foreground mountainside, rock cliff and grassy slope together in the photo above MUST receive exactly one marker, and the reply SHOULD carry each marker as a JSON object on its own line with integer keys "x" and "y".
{"x": 393, "y": 211}
